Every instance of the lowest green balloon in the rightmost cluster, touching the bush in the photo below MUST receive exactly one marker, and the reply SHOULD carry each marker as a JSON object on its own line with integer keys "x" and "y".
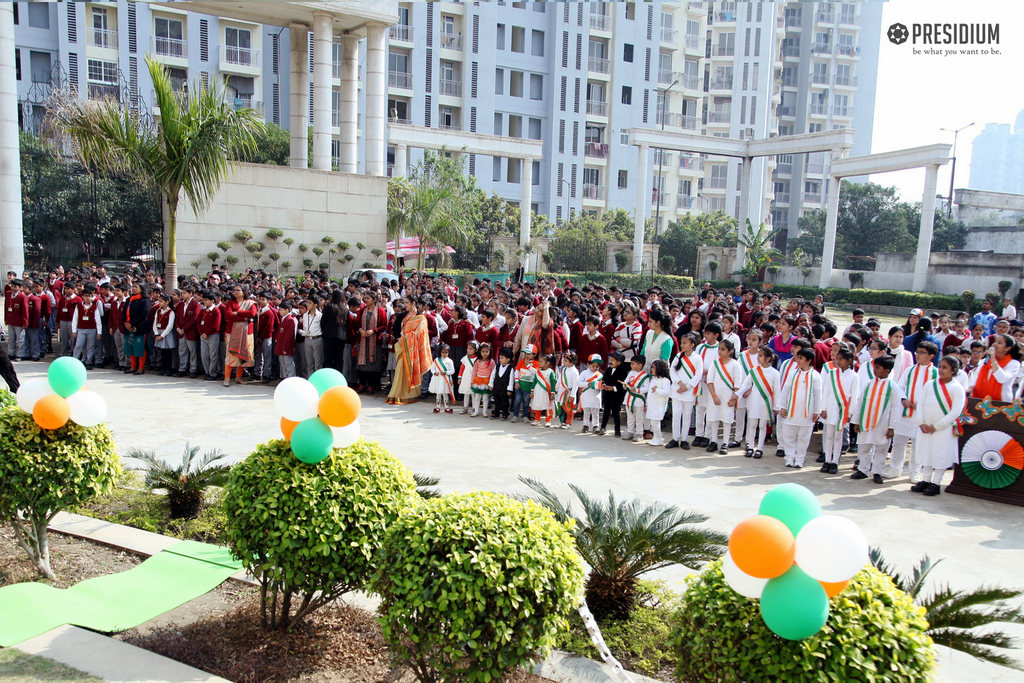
{"x": 794, "y": 606}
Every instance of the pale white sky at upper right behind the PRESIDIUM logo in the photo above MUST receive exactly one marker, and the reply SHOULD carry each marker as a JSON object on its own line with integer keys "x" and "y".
{"x": 918, "y": 95}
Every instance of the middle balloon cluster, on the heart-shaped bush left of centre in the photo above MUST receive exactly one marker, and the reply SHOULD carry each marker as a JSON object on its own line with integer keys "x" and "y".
{"x": 319, "y": 414}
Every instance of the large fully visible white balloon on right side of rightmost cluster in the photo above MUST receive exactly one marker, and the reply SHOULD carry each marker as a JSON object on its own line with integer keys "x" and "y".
{"x": 832, "y": 549}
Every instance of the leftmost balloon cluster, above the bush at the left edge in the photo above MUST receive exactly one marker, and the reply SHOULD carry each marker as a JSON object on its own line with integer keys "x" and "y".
{"x": 60, "y": 398}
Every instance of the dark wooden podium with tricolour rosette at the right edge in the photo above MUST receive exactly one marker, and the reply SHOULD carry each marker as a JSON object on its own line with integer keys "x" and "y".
{"x": 982, "y": 416}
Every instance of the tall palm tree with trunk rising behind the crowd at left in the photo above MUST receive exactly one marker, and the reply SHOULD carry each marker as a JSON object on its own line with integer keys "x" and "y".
{"x": 189, "y": 150}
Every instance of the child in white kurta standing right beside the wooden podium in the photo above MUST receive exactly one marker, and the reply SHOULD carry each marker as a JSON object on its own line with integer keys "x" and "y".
{"x": 937, "y": 449}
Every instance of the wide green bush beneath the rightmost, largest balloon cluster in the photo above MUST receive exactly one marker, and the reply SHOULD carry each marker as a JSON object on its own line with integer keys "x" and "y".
{"x": 875, "y": 633}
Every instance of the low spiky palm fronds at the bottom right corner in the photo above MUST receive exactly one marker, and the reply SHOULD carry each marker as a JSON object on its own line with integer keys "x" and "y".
{"x": 955, "y": 617}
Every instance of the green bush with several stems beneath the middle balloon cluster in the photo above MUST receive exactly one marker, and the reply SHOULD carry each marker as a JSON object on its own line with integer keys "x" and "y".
{"x": 313, "y": 530}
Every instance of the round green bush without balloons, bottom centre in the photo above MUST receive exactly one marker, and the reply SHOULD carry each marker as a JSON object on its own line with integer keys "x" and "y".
{"x": 474, "y": 585}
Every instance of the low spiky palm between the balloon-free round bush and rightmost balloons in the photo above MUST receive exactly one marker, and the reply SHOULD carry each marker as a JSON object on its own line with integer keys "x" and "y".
{"x": 622, "y": 540}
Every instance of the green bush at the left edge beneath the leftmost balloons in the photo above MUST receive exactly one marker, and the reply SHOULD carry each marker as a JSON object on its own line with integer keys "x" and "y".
{"x": 44, "y": 473}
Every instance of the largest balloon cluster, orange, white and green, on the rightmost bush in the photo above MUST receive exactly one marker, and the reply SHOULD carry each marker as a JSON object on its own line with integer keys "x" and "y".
{"x": 793, "y": 559}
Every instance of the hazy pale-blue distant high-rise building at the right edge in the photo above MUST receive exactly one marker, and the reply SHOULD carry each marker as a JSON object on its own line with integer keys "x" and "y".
{"x": 998, "y": 158}
